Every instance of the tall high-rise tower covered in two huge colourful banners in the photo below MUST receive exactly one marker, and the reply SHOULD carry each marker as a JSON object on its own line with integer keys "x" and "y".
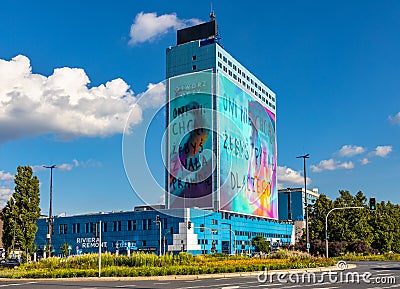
{"x": 221, "y": 129}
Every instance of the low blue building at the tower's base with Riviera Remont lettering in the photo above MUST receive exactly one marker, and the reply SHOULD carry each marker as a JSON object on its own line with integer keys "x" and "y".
{"x": 190, "y": 230}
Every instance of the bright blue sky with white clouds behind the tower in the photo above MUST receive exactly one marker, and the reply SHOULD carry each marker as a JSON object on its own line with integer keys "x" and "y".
{"x": 70, "y": 72}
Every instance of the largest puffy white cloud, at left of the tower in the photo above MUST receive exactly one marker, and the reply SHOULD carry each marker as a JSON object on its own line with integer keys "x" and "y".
{"x": 63, "y": 104}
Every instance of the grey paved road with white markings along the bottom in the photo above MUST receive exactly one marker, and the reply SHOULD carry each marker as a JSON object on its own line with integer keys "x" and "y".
{"x": 374, "y": 275}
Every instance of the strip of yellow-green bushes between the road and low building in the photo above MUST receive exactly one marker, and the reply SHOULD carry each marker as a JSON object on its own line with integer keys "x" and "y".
{"x": 141, "y": 264}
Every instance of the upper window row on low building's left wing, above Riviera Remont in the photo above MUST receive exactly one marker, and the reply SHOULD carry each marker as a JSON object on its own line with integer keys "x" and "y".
{"x": 132, "y": 225}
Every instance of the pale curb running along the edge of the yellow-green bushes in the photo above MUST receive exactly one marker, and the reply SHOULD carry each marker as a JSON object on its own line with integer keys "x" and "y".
{"x": 185, "y": 277}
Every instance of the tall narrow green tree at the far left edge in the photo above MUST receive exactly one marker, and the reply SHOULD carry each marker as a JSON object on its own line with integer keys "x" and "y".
{"x": 22, "y": 211}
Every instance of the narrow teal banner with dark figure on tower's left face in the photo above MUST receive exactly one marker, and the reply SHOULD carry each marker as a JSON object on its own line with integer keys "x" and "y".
{"x": 190, "y": 141}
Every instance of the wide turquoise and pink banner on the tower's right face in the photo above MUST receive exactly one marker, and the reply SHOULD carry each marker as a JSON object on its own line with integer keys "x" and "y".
{"x": 247, "y": 148}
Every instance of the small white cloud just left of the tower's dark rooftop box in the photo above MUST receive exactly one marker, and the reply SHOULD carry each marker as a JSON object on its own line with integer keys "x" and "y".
{"x": 149, "y": 26}
